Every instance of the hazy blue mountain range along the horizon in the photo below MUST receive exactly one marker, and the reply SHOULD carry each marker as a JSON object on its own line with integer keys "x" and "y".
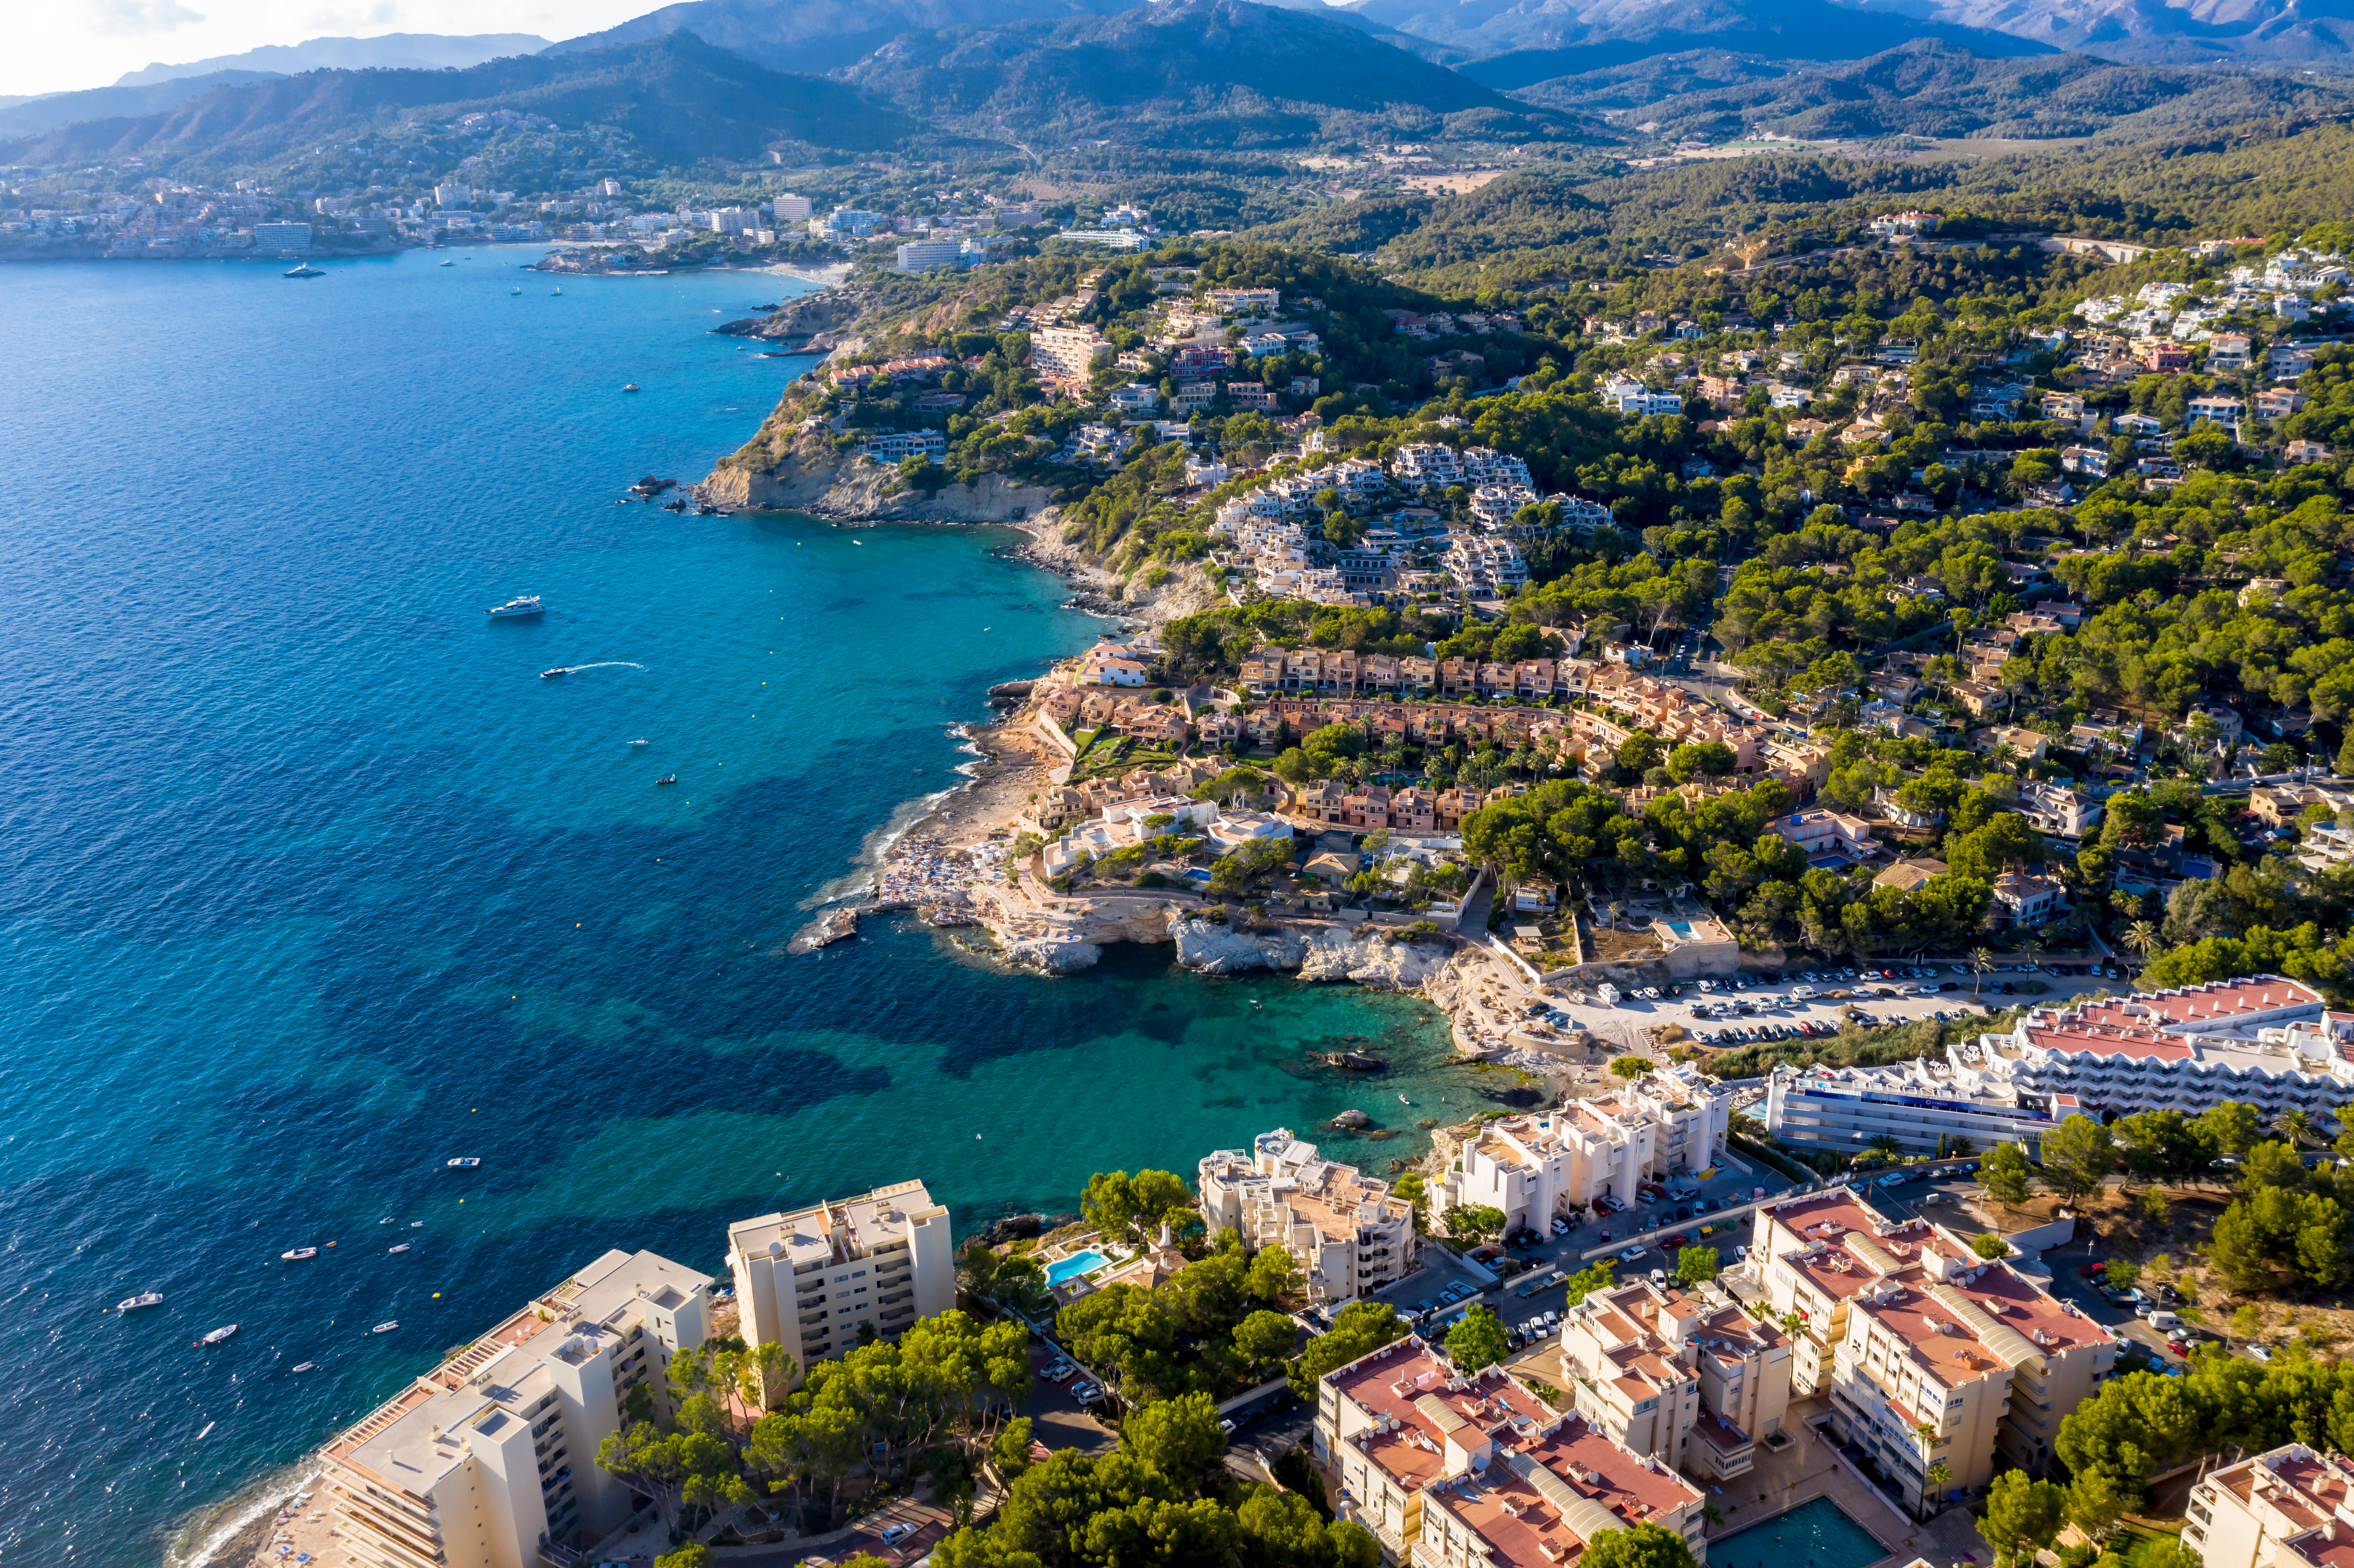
{"x": 733, "y": 79}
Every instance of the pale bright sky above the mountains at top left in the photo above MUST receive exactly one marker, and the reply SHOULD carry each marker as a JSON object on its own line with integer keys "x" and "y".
{"x": 58, "y": 46}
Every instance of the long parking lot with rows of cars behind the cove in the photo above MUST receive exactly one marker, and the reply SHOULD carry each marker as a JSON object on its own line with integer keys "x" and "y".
{"x": 1736, "y": 1009}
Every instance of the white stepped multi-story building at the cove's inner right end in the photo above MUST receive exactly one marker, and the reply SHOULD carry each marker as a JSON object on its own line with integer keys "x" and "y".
{"x": 1548, "y": 1164}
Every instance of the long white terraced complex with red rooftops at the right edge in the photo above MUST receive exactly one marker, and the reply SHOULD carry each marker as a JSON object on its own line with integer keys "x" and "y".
{"x": 2261, "y": 1042}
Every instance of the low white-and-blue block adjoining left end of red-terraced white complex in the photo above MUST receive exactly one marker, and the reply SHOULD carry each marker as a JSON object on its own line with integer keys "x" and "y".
{"x": 1915, "y": 1103}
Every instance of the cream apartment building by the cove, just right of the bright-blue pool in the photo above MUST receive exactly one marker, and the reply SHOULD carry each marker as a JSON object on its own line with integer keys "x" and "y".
{"x": 1348, "y": 1230}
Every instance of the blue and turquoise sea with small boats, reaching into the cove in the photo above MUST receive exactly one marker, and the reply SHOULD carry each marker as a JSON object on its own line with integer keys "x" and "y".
{"x": 314, "y": 884}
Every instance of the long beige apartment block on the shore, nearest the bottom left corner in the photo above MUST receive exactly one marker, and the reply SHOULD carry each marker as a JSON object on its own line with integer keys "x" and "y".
{"x": 491, "y": 1459}
